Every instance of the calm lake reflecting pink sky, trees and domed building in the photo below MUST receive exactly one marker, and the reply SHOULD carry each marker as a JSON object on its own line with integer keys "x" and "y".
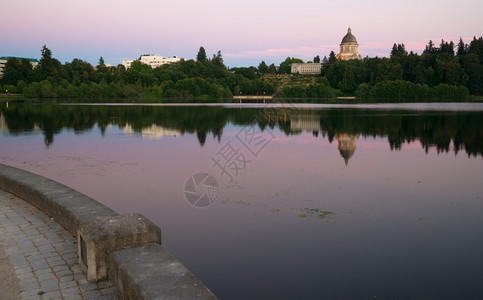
{"x": 280, "y": 201}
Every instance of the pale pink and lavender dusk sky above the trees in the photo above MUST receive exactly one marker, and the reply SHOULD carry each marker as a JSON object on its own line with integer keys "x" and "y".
{"x": 246, "y": 32}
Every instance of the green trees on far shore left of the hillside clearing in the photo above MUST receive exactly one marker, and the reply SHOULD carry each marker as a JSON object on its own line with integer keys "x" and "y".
{"x": 201, "y": 78}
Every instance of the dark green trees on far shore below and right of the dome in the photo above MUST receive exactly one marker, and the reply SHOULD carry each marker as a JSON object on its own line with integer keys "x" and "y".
{"x": 436, "y": 73}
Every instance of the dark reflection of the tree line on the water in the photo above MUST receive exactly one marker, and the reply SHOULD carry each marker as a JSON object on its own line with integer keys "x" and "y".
{"x": 444, "y": 131}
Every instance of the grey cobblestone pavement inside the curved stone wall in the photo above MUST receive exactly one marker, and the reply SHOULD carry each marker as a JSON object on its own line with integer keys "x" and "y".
{"x": 41, "y": 257}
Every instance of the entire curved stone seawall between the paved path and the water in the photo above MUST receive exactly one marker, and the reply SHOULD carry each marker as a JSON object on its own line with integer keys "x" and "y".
{"x": 125, "y": 249}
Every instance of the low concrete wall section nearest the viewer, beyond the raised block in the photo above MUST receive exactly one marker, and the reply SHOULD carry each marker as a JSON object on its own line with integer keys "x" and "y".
{"x": 150, "y": 272}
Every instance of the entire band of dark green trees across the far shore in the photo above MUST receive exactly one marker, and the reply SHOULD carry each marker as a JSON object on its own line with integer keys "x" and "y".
{"x": 439, "y": 72}
